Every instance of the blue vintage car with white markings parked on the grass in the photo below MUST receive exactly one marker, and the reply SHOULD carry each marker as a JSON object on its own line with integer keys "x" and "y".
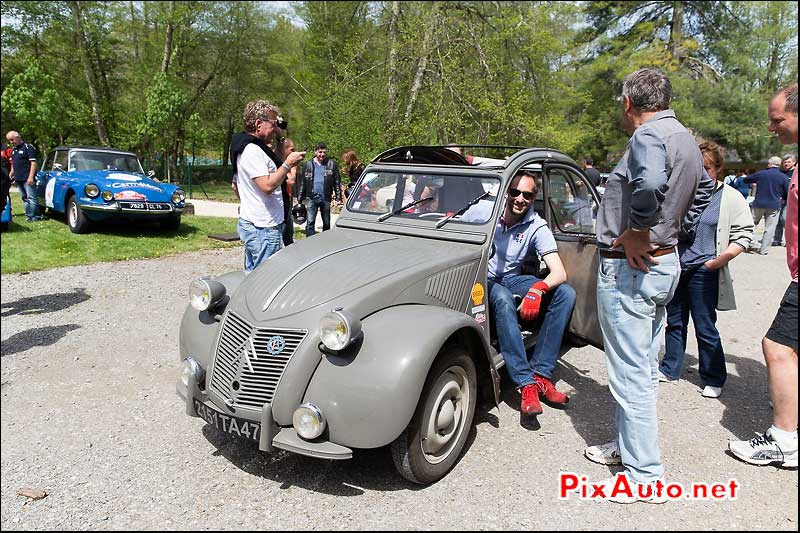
{"x": 91, "y": 184}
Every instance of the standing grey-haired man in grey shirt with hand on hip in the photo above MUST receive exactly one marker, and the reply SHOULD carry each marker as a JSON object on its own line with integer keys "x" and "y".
{"x": 652, "y": 194}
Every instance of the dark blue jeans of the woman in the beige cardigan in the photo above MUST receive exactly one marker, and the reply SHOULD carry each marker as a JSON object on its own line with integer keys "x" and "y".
{"x": 697, "y": 295}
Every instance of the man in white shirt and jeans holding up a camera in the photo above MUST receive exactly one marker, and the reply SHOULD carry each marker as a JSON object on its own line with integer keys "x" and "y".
{"x": 259, "y": 176}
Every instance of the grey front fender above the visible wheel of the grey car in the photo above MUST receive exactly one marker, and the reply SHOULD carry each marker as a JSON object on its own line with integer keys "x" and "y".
{"x": 369, "y": 392}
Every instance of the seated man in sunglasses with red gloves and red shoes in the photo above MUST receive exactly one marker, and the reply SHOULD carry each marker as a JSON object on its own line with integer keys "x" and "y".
{"x": 520, "y": 231}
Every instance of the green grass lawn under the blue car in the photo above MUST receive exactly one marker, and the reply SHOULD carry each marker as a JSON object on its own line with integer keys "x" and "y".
{"x": 28, "y": 246}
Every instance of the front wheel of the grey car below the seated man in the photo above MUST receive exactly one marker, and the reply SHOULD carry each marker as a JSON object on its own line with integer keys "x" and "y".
{"x": 433, "y": 440}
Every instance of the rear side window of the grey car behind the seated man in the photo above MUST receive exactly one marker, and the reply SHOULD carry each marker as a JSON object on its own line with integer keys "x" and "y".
{"x": 572, "y": 204}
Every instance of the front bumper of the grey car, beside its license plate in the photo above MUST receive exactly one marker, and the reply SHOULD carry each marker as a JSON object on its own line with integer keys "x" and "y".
{"x": 271, "y": 435}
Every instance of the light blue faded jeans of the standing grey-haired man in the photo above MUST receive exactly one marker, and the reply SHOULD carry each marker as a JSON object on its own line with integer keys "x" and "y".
{"x": 631, "y": 306}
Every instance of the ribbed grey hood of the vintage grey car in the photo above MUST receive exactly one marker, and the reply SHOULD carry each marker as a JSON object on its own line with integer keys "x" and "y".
{"x": 360, "y": 265}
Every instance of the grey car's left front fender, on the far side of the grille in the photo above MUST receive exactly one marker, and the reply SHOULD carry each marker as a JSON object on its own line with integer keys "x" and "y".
{"x": 199, "y": 329}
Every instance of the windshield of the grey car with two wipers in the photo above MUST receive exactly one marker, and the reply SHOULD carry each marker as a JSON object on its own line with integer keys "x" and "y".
{"x": 435, "y": 196}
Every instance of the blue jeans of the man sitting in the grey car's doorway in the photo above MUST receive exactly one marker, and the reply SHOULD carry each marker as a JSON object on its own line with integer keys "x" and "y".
{"x": 556, "y": 307}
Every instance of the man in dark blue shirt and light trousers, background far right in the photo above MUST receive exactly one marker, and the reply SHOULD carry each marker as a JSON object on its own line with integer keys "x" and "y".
{"x": 771, "y": 190}
